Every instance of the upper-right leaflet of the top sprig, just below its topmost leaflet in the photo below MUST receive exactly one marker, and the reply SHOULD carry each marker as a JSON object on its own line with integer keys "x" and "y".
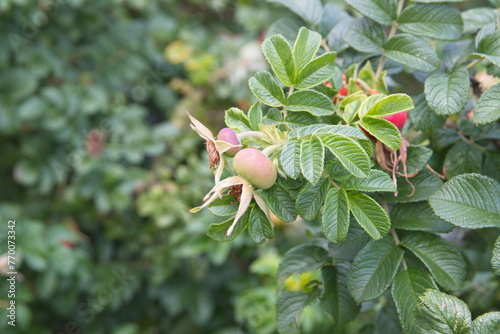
{"x": 317, "y": 71}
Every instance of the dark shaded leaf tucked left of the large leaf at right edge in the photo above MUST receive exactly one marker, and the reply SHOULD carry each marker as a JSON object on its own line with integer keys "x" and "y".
{"x": 418, "y": 217}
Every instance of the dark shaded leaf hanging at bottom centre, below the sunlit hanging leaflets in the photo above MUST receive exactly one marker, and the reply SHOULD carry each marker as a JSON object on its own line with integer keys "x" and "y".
{"x": 336, "y": 300}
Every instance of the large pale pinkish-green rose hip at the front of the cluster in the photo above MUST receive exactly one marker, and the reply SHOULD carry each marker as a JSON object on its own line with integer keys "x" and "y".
{"x": 255, "y": 167}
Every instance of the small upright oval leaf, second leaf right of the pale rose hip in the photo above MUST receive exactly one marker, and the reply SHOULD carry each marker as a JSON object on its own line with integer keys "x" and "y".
{"x": 312, "y": 155}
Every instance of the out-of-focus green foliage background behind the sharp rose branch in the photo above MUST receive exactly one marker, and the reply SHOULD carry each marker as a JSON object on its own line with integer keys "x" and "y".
{"x": 99, "y": 168}
